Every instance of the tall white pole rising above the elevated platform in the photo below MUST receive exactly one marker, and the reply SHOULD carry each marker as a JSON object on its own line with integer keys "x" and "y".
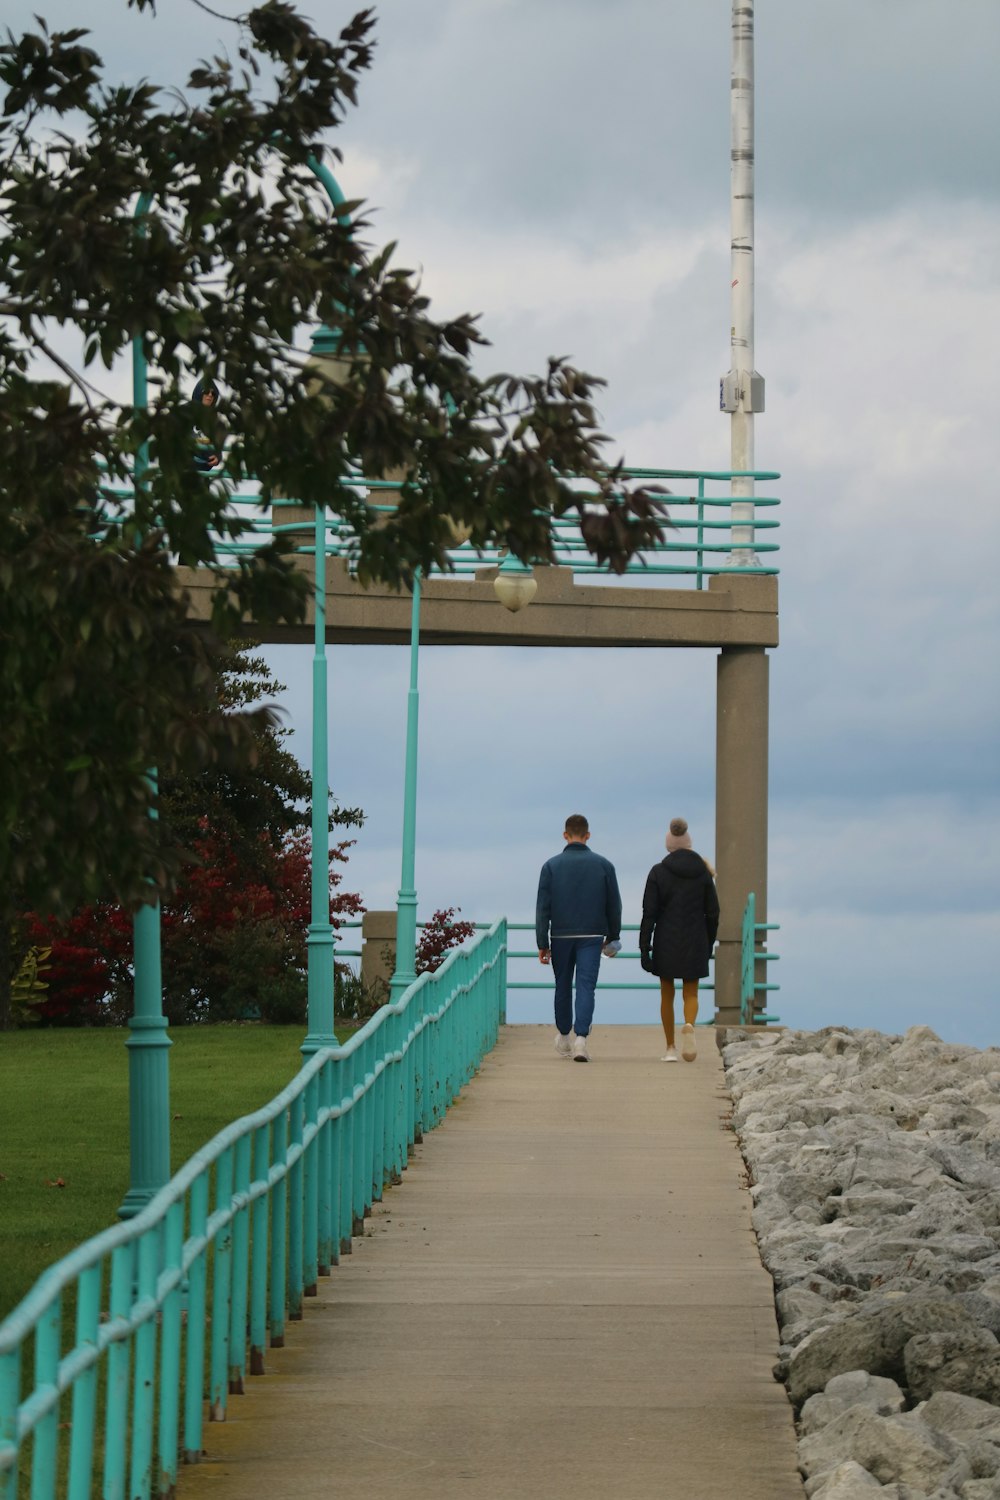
{"x": 743, "y": 389}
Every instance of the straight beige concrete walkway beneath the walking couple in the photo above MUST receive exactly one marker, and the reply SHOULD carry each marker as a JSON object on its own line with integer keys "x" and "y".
{"x": 561, "y": 1300}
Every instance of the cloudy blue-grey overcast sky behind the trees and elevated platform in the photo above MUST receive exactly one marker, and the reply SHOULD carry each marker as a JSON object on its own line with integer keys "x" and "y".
{"x": 563, "y": 169}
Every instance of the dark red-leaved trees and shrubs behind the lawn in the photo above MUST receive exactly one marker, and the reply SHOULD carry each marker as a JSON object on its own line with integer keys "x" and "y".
{"x": 235, "y": 926}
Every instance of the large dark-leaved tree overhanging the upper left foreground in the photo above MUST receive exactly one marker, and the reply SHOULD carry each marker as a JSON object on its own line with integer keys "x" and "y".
{"x": 233, "y": 254}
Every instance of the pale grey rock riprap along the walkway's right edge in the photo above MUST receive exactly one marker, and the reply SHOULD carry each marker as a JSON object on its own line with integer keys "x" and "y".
{"x": 875, "y": 1175}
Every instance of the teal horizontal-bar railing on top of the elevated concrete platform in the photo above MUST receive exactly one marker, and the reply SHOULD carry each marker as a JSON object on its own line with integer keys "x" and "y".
{"x": 696, "y": 545}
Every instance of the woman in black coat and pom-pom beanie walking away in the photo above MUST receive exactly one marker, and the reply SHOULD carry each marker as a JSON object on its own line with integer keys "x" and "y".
{"x": 680, "y": 922}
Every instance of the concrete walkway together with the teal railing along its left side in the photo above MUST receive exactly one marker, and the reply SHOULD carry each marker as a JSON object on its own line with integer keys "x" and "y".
{"x": 442, "y": 1262}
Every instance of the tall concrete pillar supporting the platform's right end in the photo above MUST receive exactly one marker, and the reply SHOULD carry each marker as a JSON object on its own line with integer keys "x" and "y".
{"x": 741, "y": 811}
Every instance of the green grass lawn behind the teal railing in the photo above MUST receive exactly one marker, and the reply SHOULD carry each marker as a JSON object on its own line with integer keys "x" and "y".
{"x": 65, "y": 1120}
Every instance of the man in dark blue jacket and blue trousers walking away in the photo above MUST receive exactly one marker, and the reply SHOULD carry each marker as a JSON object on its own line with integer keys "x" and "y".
{"x": 579, "y": 911}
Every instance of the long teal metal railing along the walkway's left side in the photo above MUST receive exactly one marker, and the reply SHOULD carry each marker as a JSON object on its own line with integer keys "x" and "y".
{"x": 175, "y": 1307}
